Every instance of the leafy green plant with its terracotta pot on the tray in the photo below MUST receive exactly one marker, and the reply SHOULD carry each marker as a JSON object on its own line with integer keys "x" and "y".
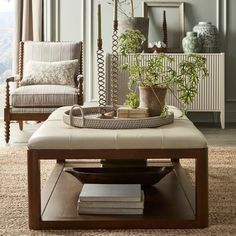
{"x": 157, "y": 75}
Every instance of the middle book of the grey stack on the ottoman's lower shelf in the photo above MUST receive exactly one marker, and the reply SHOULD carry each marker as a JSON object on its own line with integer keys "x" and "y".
{"x": 111, "y": 204}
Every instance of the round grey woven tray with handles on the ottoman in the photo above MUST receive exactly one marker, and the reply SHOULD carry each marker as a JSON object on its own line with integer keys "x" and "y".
{"x": 87, "y": 117}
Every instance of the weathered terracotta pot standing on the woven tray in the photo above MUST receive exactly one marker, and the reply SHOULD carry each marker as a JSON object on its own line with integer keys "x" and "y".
{"x": 152, "y": 98}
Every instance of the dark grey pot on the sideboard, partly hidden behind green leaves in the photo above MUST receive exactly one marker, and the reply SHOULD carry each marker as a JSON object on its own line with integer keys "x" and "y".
{"x": 136, "y": 23}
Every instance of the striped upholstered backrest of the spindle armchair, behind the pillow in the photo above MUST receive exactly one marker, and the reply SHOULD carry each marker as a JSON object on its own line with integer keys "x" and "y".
{"x": 53, "y": 52}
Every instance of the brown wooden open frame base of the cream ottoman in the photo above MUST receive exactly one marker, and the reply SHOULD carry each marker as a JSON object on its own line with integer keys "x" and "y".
{"x": 197, "y": 196}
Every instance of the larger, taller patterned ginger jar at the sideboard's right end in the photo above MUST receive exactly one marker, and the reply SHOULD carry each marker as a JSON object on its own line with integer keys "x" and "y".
{"x": 208, "y": 34}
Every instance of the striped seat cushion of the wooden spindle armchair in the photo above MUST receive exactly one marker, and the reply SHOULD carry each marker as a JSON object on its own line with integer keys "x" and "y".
{"x": 44, "y": 96}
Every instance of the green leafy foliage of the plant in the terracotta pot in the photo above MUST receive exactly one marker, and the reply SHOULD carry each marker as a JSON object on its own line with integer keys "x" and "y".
{"x": 159, "y": 71}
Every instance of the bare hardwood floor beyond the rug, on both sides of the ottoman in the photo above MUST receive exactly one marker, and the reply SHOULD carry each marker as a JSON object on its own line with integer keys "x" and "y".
{"x": 213, "y": 133}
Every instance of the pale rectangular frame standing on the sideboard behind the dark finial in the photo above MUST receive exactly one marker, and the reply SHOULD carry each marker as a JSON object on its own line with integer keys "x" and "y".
{"x": 154, "y": 10}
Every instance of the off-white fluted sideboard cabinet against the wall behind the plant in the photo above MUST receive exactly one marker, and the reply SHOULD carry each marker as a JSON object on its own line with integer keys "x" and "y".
{"x": 211, "y": 96}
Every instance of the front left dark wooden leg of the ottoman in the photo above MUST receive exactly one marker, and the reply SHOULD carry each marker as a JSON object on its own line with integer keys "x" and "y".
{"x": 34, "y": 192}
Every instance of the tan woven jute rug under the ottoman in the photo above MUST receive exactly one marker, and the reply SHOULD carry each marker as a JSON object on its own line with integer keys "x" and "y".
{"x": 222, "y": 197}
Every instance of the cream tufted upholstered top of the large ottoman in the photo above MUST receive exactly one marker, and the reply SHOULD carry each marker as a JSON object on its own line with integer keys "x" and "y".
{"x": 54, "y": 134}
